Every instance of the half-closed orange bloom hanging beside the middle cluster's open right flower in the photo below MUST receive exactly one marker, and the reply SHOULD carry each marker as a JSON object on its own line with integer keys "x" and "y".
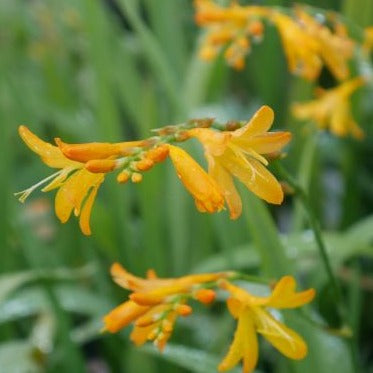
{"x": 206, "y": 193}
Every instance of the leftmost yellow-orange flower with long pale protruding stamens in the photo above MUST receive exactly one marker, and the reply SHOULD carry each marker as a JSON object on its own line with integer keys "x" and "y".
{"x": 77, "y": 187}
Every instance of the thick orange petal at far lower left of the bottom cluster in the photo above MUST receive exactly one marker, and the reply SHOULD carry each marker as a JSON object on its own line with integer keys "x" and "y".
{"x": 123, "y": 315}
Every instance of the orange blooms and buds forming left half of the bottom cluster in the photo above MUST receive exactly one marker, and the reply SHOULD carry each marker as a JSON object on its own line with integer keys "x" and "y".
{"x": 155, "y": 303}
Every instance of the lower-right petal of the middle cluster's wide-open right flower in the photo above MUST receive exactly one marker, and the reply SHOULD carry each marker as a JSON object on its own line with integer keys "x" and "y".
{"x": 254, "y": 175}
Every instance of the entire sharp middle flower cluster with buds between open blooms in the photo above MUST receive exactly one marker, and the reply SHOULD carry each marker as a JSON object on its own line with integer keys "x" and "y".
{"x": 240, "y": 153}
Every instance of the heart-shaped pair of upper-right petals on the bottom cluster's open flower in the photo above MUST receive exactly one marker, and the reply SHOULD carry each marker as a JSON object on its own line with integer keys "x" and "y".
{"x": 285, "y": 296}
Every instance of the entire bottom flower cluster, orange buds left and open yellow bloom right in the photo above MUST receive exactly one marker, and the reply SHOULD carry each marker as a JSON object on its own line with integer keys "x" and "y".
{"x": 155, "y": 304}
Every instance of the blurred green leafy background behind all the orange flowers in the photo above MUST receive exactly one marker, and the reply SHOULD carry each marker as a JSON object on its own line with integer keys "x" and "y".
{"x": 90, "y": 70}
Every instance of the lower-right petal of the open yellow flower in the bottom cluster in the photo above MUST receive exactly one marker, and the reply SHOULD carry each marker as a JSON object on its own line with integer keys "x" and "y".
{"x": 288, "y": 342}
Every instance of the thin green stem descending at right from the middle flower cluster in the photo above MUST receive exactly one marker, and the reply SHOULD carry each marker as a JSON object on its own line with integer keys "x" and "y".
{"x": 315, "y": 226}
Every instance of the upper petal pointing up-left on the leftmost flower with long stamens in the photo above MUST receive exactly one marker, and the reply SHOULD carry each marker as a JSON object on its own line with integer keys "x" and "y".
{"x": 51, "y": 155}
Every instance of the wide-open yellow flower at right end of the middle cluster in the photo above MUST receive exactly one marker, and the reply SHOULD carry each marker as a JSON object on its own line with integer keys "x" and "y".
{"x": 239, "y": 153}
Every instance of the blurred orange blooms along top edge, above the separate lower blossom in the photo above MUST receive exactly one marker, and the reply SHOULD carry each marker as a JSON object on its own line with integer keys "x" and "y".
{"x": 308, "y": 43}
